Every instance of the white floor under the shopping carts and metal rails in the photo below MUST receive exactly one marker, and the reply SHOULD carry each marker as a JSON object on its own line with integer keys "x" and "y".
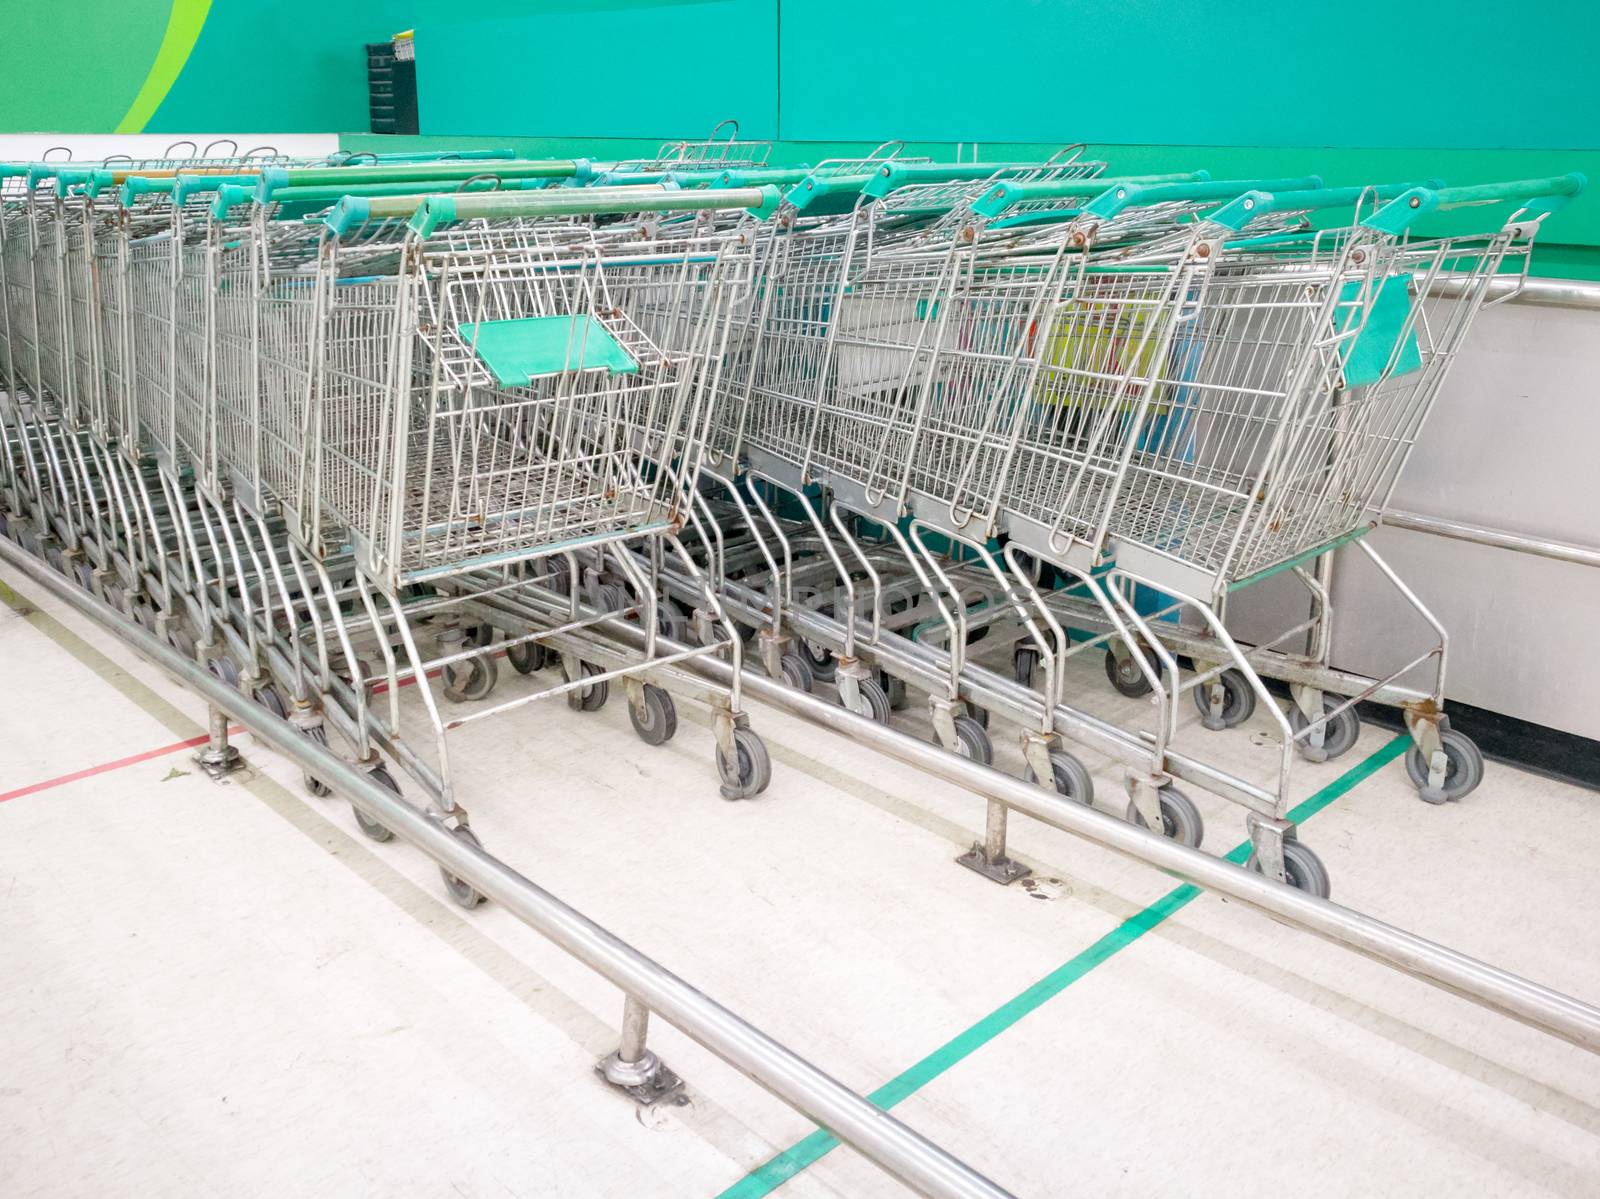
{"x": 225, "y": 990}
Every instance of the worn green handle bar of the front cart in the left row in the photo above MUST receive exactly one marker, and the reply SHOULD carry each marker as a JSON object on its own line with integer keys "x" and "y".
{"x": 434, "y": 211}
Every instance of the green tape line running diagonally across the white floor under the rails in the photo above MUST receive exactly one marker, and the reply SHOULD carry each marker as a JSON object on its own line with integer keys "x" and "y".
{"x": 777, "y": 1171}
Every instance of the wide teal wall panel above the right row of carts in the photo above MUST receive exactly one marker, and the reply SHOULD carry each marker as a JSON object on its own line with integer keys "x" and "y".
{"x": 1207, "y": 73}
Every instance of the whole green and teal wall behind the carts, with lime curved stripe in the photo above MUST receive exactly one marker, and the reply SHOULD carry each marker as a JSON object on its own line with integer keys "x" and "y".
{"x": 1346, "y": 90}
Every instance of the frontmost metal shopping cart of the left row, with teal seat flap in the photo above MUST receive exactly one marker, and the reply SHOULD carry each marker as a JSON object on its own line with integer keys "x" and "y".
{"x": 505, "y": 407}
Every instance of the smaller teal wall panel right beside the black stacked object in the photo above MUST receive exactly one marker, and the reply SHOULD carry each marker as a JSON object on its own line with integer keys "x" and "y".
{"x": 618, "y": 68}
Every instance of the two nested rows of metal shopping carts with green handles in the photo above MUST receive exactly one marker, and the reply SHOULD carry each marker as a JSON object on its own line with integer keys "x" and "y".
{"x": 886, "y": 425}
